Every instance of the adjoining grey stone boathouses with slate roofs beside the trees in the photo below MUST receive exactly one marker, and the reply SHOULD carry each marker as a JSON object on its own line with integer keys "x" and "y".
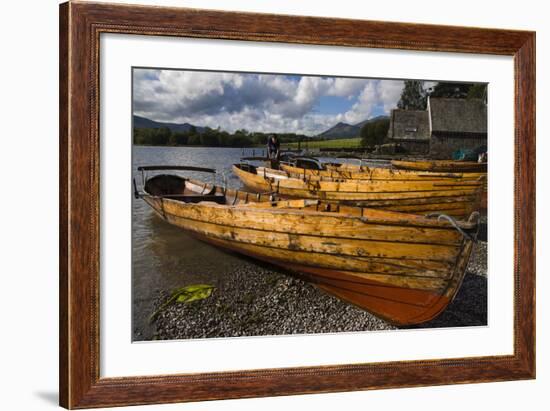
{"x": 447, "y": 125}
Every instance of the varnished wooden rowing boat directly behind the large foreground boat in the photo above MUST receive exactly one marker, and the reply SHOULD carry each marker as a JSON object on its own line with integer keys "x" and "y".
{"x": 453, "y": 197}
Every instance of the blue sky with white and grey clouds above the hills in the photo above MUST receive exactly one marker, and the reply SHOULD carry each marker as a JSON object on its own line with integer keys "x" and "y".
{"x": 260, "y": 102}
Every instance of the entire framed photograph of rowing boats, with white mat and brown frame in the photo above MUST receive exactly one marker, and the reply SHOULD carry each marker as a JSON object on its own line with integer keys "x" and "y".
{"x": 259, "y": 205}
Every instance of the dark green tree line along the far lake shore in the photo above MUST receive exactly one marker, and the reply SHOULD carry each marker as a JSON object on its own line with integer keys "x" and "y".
{"x": 209, "y": 137}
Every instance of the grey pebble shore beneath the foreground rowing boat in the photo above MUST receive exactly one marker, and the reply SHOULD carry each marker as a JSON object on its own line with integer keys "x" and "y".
{"x": 256, "y": 300}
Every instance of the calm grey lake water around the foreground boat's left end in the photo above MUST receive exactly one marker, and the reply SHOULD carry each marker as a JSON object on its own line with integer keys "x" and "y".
{"x": 164, "y": 257}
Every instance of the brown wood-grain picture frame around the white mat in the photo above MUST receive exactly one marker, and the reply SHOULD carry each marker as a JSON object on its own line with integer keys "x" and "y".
{"x": 80, "y": 27}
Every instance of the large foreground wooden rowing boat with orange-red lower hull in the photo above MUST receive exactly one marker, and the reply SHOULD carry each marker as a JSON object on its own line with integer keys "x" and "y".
{"x": 401, "y": 267}
